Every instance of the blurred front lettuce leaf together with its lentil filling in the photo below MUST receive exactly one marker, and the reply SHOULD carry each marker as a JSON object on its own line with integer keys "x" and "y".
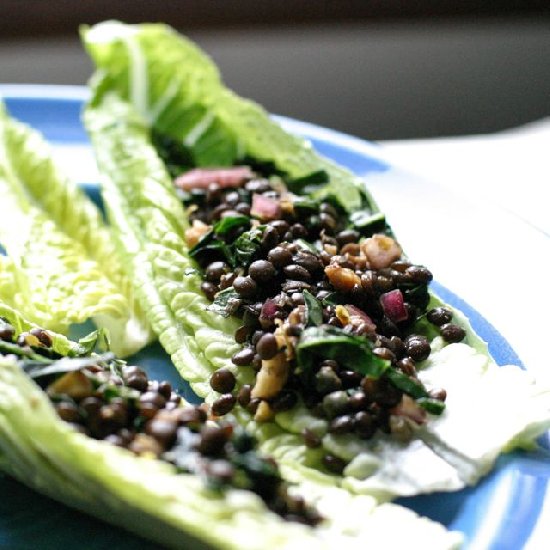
{"x": 139, "y": 457}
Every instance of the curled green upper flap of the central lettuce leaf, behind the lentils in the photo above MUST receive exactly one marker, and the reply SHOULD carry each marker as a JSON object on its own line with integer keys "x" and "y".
{"x": 177, "y": 90}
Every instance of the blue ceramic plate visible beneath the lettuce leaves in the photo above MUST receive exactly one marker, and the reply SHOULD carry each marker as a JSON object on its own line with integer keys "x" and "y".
{"x": 505, "y": 511}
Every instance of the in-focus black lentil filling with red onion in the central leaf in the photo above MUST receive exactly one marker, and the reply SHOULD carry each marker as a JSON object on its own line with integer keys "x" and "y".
{"x": 333, "y": 314}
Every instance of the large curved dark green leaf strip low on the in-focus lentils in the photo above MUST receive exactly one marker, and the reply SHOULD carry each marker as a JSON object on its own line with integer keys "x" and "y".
{"x": 352, "y": 352}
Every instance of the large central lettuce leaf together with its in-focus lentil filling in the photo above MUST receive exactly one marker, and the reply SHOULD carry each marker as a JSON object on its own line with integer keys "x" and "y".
{"x": 150, "y": 113}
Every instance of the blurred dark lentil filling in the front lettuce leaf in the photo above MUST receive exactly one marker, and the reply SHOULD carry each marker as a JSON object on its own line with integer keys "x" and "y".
{"x": 108, "y": 400}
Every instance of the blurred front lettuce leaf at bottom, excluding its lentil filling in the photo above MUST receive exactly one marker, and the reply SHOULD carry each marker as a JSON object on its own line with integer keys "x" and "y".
{"x": 150, "y": 498}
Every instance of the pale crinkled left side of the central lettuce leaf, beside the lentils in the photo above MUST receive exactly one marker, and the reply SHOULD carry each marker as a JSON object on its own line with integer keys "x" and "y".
{"x": 148, "y": 222}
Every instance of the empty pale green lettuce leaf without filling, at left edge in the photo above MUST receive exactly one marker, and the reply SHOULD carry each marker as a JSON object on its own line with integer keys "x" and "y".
{"x": 62, "y": 268}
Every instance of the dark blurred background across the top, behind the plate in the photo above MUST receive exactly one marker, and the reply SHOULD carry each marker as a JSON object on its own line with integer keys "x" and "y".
{"x": 385, "y": 69}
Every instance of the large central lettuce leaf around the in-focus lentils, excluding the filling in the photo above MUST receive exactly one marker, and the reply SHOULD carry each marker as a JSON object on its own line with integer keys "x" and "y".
{"x": 154, "y": 91}
